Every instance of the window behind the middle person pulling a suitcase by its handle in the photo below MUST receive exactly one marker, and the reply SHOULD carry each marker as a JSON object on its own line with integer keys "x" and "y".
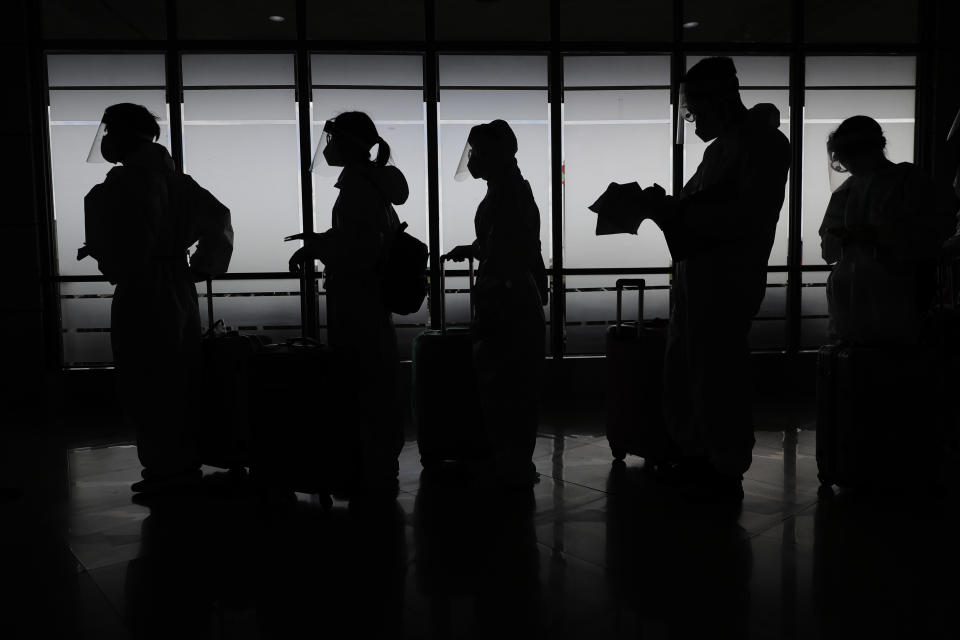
{"x": 478, "y": 89}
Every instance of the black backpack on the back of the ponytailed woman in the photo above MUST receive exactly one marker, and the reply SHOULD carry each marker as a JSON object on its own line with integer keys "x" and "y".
{"x": 404, "y": 269}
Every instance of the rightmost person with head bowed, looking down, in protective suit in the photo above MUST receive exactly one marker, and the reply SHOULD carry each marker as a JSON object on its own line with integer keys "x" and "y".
{"x": 883, "y": 231}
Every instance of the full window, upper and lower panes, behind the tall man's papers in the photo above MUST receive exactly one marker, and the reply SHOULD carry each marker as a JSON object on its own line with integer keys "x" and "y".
{"x": 616, "y": 128}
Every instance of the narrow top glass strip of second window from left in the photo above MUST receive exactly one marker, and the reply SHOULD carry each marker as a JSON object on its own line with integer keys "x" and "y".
{"x": 237, "y": 69}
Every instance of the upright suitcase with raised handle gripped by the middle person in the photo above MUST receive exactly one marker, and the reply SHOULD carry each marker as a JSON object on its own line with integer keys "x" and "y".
{"x": 445, "y": 401}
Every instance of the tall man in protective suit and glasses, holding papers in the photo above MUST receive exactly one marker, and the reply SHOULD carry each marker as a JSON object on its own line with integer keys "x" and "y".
{"x": 720, "y": 230}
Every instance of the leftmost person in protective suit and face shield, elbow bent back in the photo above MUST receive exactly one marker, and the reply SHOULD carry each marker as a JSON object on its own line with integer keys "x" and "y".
{"x": 140, "y": 224}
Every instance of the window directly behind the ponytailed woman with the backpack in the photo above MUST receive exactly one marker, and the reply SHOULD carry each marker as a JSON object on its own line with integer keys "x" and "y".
{"x": 389, "y": 88}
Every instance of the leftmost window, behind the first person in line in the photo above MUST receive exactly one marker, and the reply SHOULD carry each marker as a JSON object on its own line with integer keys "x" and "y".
{"x": 81, "y": 87}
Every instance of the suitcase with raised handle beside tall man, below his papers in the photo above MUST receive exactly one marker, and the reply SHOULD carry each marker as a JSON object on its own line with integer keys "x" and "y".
{"x": 635, "y": 356}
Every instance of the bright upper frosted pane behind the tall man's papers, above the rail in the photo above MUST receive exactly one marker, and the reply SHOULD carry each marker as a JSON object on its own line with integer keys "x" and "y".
{"x": 613, "y": 135}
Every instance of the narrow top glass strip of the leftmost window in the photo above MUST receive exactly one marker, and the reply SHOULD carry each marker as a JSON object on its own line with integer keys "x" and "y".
{"x": 105, "y": 70}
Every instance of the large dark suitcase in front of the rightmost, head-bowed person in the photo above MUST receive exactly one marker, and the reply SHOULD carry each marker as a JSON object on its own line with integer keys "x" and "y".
{"x": 877, "y": 418}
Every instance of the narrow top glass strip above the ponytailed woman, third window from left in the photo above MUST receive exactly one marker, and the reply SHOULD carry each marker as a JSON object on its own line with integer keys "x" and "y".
{"x": 392, "y": 70}
